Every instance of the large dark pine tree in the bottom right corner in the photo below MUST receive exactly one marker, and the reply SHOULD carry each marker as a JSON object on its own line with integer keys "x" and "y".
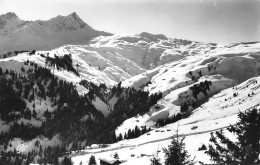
{"x": 244, "y": 152}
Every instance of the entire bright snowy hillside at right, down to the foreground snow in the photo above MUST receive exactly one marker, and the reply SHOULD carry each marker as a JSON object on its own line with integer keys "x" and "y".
{"x": 233, "y": 71}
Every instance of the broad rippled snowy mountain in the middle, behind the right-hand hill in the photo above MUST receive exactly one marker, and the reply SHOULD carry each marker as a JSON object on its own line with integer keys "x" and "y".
{"x": 111, "y": 59}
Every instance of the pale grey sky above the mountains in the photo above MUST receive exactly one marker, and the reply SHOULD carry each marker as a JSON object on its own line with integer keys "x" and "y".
{"x": 220, "y": 21}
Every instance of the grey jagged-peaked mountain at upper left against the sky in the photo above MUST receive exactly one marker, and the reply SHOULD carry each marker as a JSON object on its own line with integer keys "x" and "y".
{"x": 17, "y": 34}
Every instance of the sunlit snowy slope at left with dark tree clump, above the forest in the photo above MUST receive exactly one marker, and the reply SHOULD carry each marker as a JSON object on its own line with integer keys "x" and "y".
{"x": 93, "y": 66}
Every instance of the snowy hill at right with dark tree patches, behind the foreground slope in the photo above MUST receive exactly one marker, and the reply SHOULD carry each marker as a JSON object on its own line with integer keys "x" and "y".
{"x": 224, "y": 68}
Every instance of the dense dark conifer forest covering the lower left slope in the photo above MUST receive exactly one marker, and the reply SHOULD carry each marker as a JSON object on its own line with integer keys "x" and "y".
{"x": 18, "y": 90}
